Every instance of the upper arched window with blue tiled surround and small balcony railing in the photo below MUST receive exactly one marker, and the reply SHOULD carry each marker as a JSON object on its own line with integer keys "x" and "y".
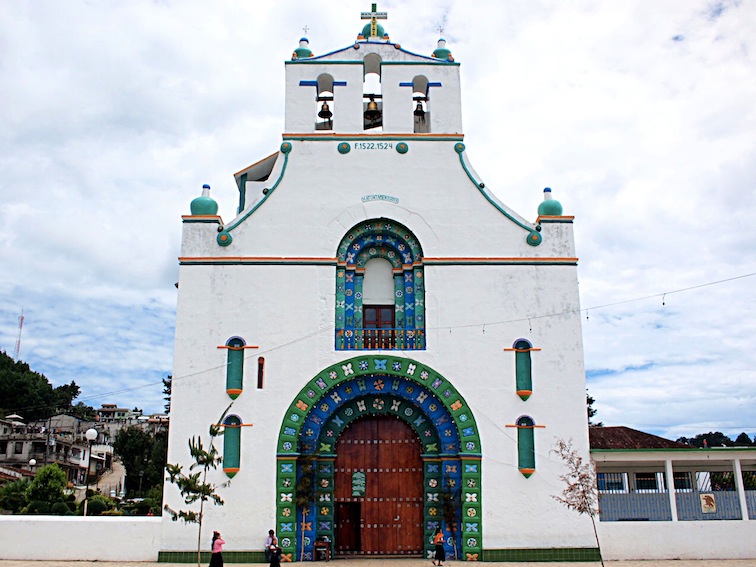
{"x": 380, "y": 290}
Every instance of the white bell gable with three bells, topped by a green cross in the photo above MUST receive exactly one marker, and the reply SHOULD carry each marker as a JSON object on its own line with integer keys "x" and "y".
{"x": 372, "y": 86}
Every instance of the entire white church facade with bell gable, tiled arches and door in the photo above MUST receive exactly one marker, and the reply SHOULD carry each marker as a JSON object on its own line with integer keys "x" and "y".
{"x": 381, "y": 324}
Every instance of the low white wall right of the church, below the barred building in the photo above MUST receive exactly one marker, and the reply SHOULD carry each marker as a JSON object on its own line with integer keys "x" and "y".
{"x": 733, "y": 539}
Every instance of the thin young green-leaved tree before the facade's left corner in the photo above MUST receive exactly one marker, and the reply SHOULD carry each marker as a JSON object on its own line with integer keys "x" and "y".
{"x": 194, "y": 486}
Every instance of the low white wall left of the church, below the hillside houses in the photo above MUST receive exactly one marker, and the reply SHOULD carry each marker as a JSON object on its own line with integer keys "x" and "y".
{"x": 56, "y": 538}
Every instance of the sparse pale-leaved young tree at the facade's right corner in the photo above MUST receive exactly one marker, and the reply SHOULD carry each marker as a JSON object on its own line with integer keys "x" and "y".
{"x": 580, "y": 494}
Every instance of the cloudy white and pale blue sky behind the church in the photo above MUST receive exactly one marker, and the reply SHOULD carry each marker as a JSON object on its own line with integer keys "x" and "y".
{"x": 640, "y": 115}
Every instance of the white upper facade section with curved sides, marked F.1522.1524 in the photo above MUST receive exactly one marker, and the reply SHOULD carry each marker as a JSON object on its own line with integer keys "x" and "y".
{"x": 322, "y": 188}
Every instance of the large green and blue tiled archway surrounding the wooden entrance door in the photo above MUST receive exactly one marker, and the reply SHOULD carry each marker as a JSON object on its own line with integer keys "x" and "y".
{"x": 380, "y": 385}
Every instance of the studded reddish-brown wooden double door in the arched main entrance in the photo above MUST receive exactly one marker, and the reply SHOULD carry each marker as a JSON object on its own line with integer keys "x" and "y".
{"x": 379, "y": 489}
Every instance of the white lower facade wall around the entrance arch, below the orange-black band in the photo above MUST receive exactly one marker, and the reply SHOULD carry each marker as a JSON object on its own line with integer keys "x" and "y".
{"x": 276, "y": 307}
